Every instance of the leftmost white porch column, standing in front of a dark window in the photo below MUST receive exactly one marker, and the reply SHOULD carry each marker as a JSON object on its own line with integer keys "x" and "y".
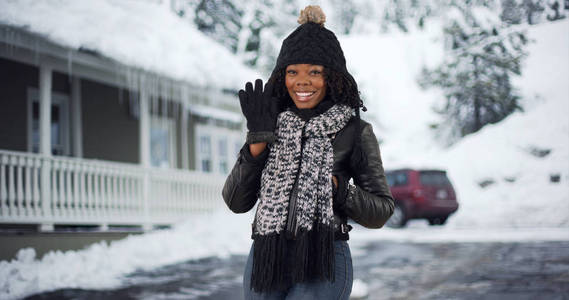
{"x": 45, "y": 144}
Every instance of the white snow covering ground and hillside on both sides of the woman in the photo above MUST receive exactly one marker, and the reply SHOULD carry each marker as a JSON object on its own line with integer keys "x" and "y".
{"x": 528, "y": 209}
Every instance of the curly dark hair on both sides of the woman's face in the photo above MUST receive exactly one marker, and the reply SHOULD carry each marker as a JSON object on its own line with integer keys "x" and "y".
{"x": 339, "y": 87}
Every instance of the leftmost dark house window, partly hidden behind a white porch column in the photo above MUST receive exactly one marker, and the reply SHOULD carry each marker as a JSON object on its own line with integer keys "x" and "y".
{"x": 59, "y": 128}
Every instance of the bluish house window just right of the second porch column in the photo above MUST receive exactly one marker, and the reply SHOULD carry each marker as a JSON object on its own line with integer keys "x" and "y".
{"x": 162, "y": 142}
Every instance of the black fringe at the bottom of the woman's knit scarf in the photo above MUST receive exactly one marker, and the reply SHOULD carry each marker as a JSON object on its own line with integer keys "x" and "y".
{"x": 313, "y": 257}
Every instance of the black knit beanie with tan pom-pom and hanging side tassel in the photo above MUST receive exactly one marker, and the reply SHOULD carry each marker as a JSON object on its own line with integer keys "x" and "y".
{"x": 312, "y": 43}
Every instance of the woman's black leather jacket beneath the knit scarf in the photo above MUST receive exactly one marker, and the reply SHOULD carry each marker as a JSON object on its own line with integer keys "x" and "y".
{"x": 369, "y": 204}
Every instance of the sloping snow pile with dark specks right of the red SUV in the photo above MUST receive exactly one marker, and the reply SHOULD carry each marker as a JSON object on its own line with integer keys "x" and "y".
{"x": 506, "y": 156}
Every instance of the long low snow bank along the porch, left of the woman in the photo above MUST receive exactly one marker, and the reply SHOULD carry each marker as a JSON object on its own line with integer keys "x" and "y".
{"x": 101, "y": 265}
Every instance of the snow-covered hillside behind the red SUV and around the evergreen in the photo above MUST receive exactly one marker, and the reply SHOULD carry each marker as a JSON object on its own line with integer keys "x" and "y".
{"x": 516, "y": 157}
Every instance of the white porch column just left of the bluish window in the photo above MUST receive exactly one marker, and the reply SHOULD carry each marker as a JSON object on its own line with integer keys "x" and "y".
{"x": 144, "y": 130}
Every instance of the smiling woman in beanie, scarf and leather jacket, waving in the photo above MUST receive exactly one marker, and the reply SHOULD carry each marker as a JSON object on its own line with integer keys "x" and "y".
{"x": 305, "y": 142}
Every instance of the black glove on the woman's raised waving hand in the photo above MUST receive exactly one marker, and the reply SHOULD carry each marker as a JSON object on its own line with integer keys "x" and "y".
{"x": 260, "y": 109}
